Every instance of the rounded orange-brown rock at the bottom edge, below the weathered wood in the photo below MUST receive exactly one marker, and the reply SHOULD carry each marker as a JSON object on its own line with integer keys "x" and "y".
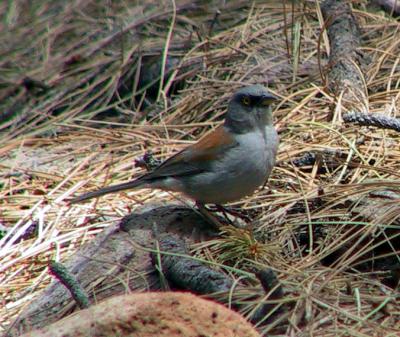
{"x": 151, "y": 314}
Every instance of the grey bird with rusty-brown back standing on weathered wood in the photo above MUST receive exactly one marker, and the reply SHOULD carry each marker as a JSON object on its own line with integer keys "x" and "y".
{"x": 227, "y": 164}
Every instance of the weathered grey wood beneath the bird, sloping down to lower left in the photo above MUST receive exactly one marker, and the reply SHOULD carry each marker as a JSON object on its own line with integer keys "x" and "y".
{"x": 113, "y": 263}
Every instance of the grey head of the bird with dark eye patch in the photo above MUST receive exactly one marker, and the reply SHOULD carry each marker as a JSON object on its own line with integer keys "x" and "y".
{"x": 249, "y": 108}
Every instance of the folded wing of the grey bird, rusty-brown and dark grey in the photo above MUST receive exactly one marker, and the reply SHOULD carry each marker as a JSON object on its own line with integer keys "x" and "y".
{"x": 195, "y": 158}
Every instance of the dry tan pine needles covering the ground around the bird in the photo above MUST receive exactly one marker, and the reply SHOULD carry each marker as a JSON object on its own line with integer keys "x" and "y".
{"x": 61, "y": 147}
